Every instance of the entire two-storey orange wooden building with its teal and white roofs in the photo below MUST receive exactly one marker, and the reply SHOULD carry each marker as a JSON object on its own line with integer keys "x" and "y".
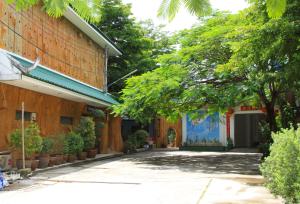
{"x": 69, "y": 78}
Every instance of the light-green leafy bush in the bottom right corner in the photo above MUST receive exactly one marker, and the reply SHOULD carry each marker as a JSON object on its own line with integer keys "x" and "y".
{"x": 282, "y": 168}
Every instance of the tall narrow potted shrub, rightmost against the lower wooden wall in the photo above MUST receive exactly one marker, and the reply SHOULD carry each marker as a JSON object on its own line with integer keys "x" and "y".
{"x": 86, "y": 130}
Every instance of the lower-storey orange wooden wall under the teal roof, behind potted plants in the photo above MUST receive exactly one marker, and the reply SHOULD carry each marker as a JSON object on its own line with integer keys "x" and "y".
{"x": 48, "y": 109}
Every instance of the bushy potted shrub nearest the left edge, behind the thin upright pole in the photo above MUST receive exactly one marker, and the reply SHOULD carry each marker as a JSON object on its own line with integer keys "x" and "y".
{"x": 32, "y": 144}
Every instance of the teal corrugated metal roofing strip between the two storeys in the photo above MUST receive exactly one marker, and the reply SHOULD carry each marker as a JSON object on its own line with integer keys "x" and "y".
{"x": 55, "y": 78}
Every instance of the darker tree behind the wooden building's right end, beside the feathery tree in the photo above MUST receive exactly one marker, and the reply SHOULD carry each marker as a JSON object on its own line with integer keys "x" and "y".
{"x": 141, "y": 43}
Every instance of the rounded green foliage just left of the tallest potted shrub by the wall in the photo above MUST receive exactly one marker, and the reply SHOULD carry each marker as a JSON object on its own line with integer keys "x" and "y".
{"x": 73, "y": 143}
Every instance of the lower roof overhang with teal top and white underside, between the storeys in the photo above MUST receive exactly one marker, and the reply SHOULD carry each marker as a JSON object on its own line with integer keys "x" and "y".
{"x": 21, "y": 72}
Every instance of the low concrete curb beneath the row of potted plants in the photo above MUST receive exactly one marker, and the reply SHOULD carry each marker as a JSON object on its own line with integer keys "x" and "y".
{"x": 89, "y": 160}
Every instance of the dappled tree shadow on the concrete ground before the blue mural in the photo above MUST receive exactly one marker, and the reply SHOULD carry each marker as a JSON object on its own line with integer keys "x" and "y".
{"x": 218, "y": 163}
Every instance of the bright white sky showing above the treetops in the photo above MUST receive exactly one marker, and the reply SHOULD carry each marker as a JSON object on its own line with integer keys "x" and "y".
{"x": 147, "y": 9}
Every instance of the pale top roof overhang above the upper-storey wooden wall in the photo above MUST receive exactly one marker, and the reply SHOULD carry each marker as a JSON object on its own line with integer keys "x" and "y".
{"x": 100, "y": 39}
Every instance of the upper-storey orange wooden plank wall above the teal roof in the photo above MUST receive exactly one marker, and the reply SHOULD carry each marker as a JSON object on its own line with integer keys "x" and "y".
{"x": 59, "y": 44}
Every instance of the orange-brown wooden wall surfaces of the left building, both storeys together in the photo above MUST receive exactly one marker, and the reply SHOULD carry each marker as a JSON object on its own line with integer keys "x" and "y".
{"x": 61, "y": 46}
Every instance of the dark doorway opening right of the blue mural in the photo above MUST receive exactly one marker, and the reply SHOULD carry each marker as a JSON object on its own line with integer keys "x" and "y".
{"x": 246, "y": 129}
